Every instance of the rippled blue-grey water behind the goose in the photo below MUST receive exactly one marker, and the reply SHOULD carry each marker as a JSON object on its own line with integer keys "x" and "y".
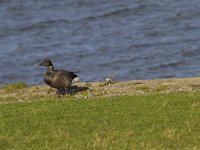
{"x": 134, "y": 39}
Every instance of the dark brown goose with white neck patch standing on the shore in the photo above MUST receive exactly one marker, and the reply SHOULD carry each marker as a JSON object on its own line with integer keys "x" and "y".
{"x": 58, "y": 78}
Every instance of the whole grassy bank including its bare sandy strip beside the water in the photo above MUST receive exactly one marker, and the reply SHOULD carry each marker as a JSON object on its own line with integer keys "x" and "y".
{"x": 142, "y": 114}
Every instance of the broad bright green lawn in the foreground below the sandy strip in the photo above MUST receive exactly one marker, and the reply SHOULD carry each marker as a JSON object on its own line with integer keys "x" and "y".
{"x": 163, "y": 121}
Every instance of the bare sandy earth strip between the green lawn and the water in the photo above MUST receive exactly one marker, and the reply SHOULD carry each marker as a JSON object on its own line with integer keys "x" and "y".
{"x": 103, "y": 89}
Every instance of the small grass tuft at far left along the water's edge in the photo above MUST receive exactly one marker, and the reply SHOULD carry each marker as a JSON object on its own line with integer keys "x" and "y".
{"x": 14, "y": 86}
